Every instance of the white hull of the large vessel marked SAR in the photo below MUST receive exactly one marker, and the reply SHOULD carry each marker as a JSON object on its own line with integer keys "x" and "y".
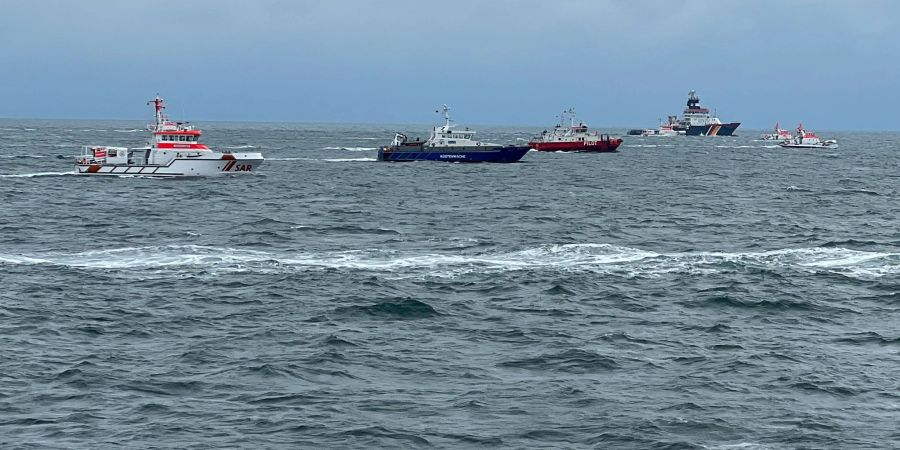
{"x": 227, "y": 164}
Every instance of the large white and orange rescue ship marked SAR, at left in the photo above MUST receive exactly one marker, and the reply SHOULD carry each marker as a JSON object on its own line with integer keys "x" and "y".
{"x": 174, "y": 150}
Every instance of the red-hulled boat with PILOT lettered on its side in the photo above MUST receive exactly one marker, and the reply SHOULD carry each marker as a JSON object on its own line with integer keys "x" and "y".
{"x": 573, "y": 138}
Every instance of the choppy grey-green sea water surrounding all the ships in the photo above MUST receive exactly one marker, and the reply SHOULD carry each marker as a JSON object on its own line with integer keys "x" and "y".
{"x": 682, "y": 293}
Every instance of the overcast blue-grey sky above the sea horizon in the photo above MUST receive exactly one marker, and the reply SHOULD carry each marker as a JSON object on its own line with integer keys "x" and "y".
{"x": 830, "y": 64}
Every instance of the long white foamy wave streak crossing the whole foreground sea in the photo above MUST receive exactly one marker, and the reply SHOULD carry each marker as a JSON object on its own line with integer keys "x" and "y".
{"x": 592, "y": 258}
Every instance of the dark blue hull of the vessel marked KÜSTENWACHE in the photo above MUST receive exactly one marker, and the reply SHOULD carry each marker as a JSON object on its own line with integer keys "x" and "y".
{"x": 465, "y": 154}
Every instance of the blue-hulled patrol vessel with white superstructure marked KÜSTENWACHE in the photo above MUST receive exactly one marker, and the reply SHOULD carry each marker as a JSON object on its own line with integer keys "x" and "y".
{"x": 447, "y": 143}
